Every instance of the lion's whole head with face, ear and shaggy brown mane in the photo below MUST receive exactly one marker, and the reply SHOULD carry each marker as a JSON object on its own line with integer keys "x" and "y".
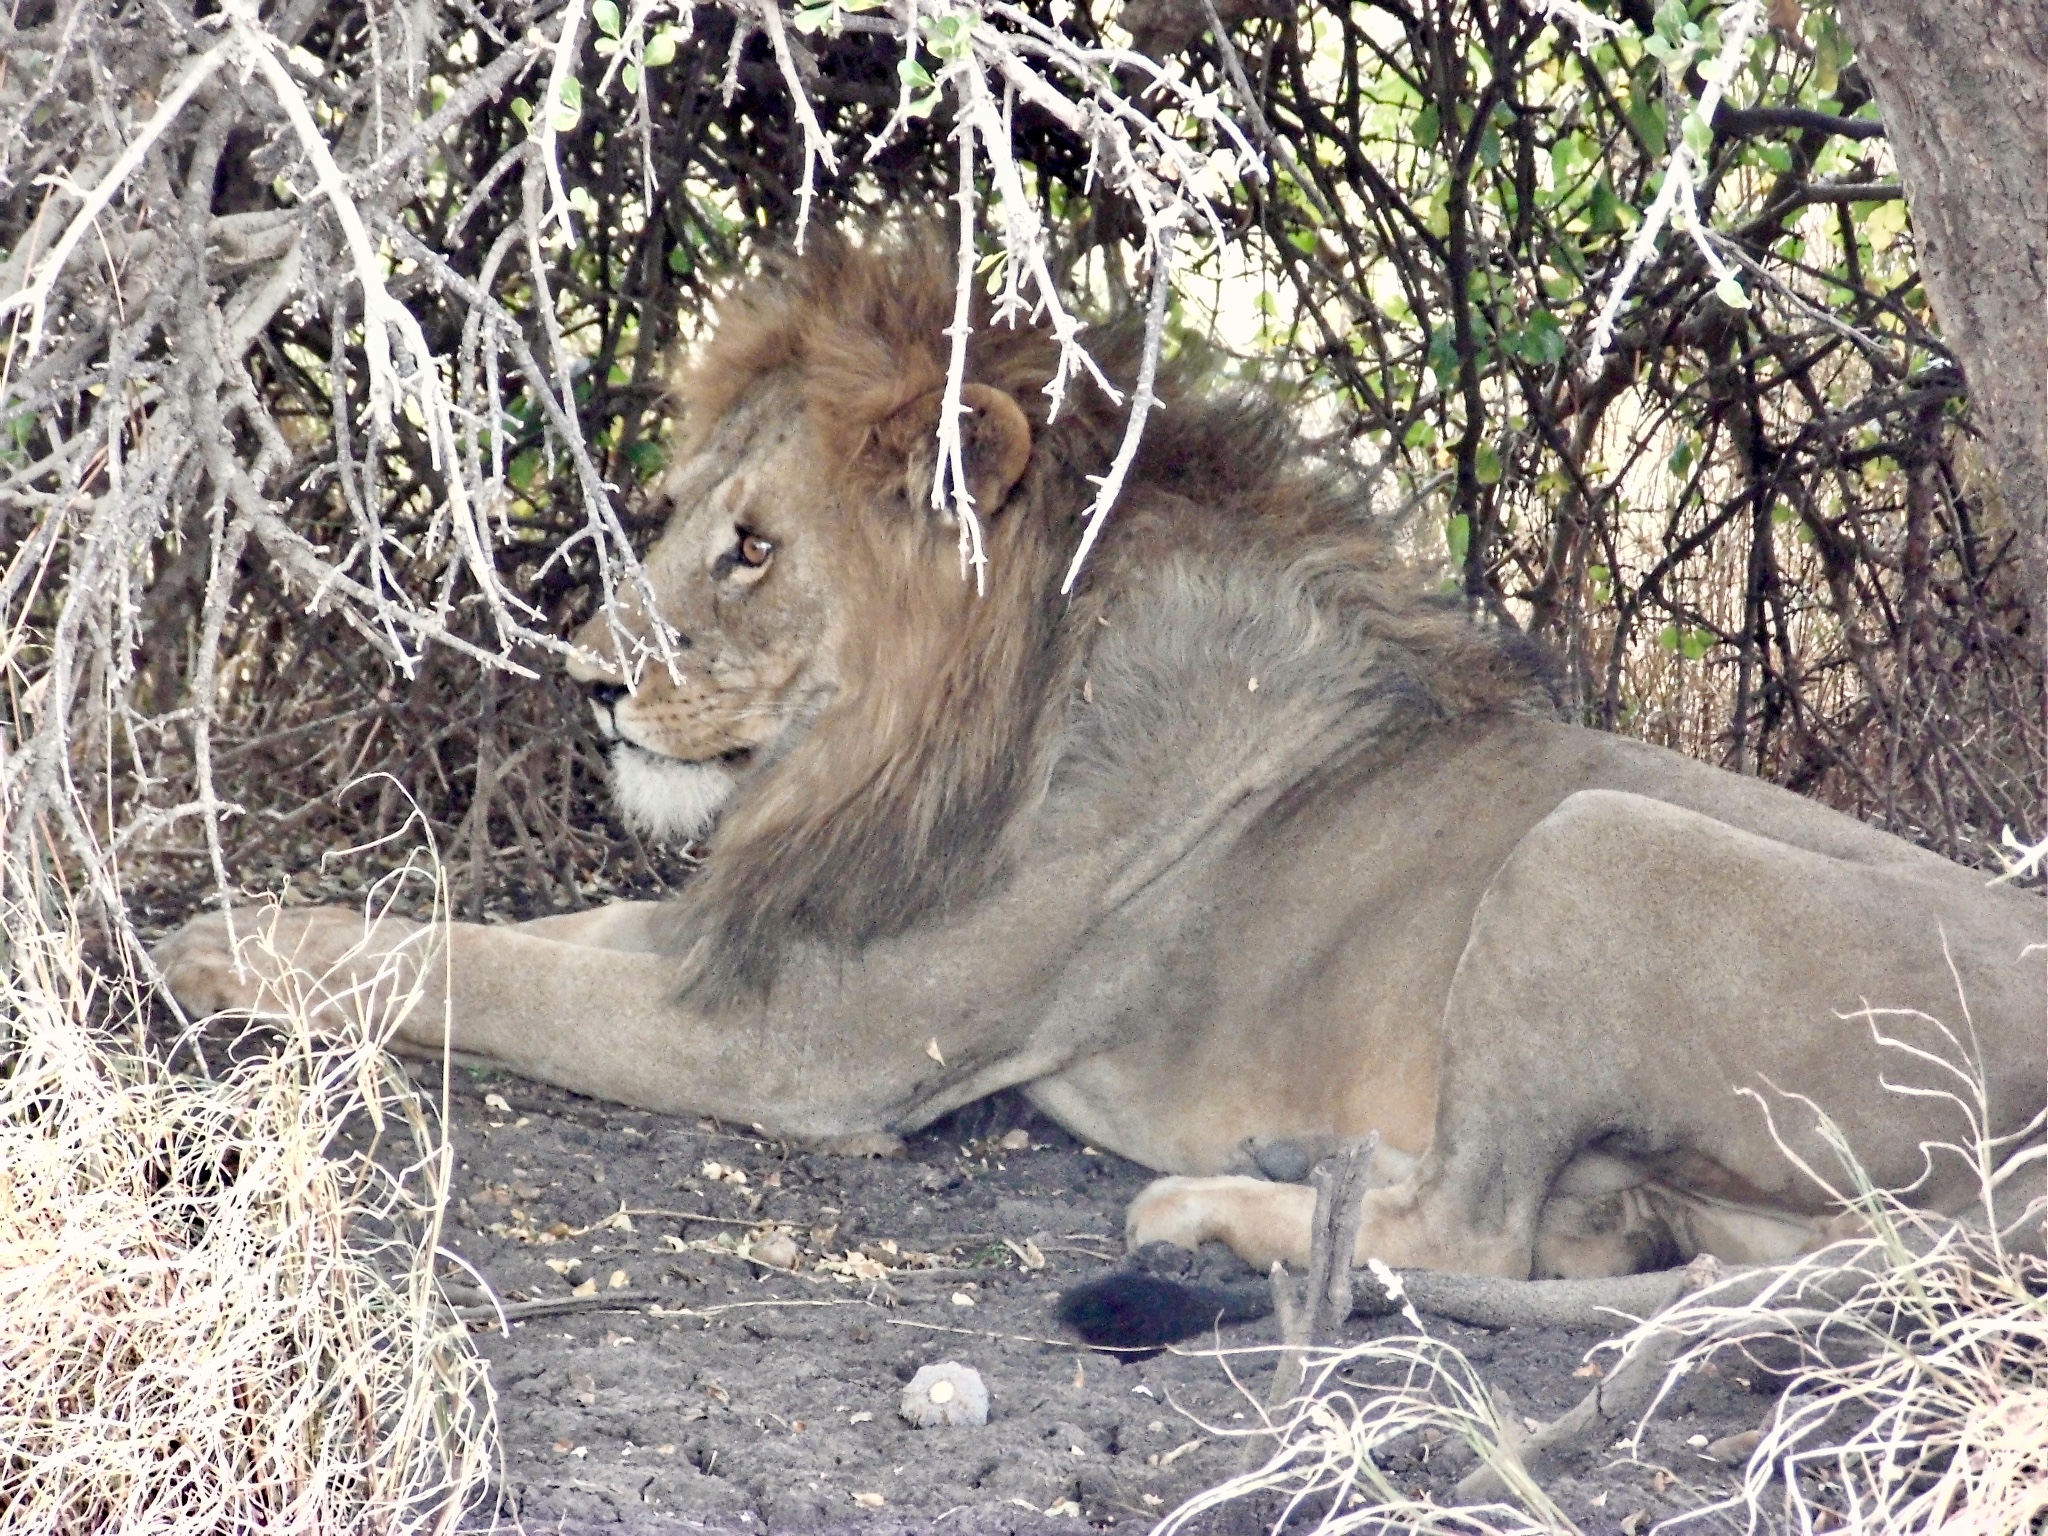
{"x": 863, "y": 726}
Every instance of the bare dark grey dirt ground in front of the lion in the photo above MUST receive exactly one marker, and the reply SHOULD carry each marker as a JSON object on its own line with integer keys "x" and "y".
{"x": 660, "y": 1377}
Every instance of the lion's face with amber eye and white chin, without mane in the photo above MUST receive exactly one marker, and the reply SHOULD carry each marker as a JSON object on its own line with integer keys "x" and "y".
{"x": 742, "y": 577}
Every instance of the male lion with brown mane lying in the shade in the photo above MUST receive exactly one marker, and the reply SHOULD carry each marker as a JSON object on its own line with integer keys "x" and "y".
{"x": 1240, "y": 851}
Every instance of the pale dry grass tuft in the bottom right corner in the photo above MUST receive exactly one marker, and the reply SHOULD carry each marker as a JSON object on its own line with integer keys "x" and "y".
{"x": 1918, "y": 1398}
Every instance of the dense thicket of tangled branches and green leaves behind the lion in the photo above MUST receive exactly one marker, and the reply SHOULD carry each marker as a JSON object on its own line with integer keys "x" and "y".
{"x": 257, "y": 548}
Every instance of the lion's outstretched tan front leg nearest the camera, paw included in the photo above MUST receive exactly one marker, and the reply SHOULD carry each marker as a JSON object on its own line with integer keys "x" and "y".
{"x": 609, "y": 1015}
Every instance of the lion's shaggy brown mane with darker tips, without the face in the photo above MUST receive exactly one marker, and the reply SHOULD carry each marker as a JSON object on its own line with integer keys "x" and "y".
{"x": 900, "y": 802}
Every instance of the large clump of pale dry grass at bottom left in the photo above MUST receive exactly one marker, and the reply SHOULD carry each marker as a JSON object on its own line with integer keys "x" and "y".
{"x": 218, "y": 1308}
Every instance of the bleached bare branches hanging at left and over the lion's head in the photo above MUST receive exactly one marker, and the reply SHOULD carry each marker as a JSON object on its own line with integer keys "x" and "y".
{"x": 140, "y": 353}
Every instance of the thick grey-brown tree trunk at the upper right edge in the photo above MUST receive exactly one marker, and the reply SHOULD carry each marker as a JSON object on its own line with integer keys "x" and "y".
{"x": 1963, "y": 87}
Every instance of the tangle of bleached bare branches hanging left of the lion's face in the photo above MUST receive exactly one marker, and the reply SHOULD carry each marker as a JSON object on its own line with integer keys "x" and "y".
{"x": 130, "y": 355}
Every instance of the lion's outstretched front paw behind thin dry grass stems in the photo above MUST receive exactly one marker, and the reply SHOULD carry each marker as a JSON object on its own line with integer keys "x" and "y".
{"x": 280, "y": 964}
